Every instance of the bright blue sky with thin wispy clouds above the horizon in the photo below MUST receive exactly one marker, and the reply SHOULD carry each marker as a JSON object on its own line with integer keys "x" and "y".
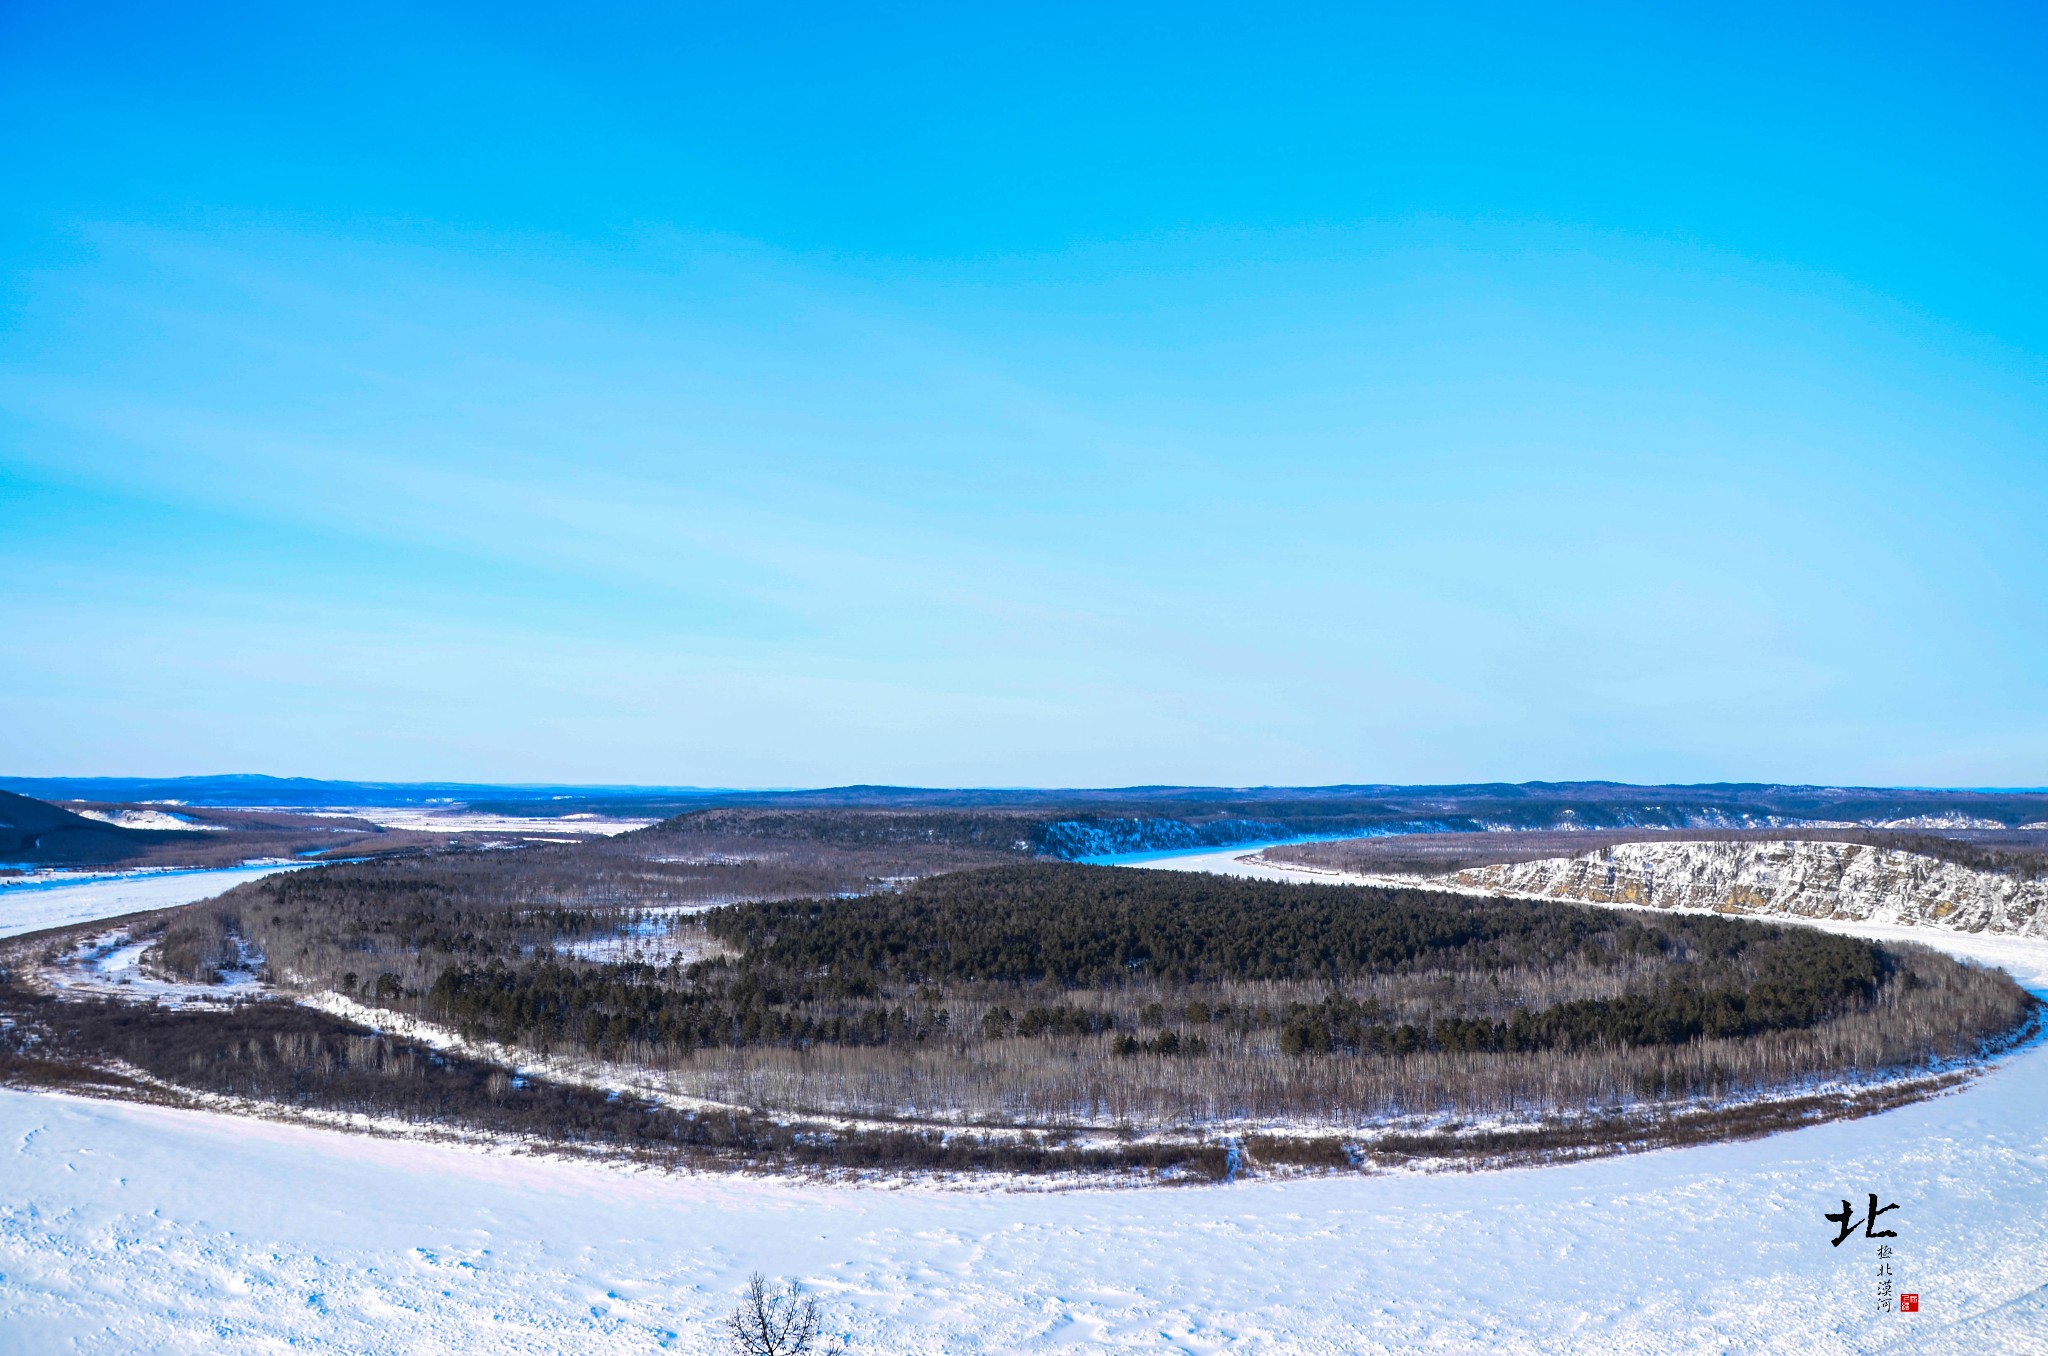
{"x": 1185, "y": 394}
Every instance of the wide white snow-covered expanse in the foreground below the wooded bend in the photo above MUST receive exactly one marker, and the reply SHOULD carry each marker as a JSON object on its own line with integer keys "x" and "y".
{"x": 130, "y": 1228}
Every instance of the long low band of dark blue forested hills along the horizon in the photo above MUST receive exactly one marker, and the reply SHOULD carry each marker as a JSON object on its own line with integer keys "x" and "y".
{"x": 1093, "y": 822}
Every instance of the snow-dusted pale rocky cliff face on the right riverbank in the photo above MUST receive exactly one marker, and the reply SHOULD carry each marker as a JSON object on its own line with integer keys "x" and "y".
{"x": 1805, "y": 880}
